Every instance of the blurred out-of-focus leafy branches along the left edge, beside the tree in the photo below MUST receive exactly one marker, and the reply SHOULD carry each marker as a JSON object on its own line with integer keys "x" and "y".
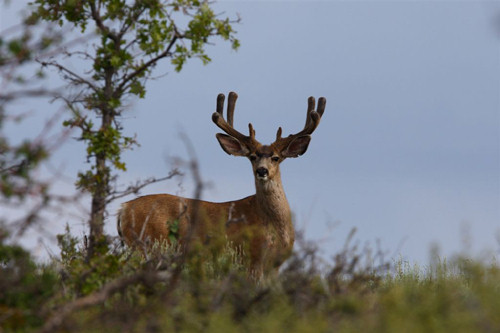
{"x": 20, "y": 46}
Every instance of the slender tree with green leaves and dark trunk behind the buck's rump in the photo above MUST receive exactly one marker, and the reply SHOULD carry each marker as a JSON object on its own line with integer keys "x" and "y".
{"x": 130, "y": 38}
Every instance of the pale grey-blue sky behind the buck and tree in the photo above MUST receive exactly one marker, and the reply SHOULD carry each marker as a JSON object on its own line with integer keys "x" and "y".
{"x": 407, "y": 152}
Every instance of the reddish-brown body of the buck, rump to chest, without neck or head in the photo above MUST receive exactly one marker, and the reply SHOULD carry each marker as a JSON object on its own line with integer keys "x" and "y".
{"x": 164, "y": 217}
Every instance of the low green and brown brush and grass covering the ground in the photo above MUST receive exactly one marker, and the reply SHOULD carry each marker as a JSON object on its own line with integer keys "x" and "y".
{"x": 161, "y": 290}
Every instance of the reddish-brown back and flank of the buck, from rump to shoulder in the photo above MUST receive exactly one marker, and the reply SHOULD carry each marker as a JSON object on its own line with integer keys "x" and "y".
{"x": 164, "y": 217}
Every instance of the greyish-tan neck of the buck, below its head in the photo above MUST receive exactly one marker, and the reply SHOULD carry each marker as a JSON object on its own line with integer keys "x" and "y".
{"x": 273, "y": 207}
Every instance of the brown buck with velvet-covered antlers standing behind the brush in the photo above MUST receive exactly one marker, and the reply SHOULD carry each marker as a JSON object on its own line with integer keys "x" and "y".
{"x": 260, "y": 224}
